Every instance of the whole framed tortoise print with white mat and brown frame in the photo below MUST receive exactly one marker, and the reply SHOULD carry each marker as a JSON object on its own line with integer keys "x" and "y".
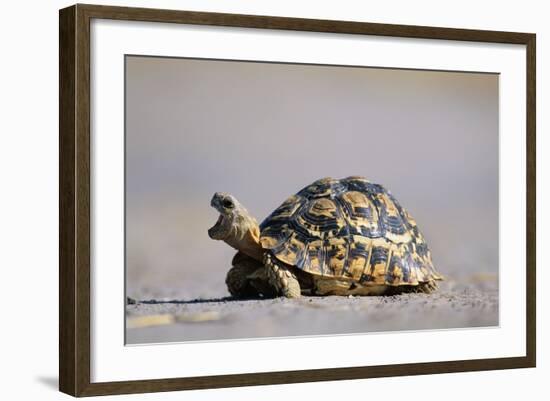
{"x": 265, "y": 192}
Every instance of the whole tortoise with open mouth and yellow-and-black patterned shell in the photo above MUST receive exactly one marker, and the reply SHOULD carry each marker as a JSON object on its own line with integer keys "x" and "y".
{"x": 334, "y": 237}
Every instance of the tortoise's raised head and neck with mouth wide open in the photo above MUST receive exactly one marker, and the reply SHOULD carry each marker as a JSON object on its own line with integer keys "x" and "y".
{"x": 235, "y": 226}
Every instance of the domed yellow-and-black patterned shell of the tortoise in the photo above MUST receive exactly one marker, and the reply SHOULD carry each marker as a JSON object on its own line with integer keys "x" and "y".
{"x": 349, "y": 228}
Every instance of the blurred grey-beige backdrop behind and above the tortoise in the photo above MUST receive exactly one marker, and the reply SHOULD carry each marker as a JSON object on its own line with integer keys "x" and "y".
{"x": 262, "y": 131}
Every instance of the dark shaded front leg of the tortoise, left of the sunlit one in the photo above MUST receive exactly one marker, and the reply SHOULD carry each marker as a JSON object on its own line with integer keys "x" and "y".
{"x": 247, "y": 278}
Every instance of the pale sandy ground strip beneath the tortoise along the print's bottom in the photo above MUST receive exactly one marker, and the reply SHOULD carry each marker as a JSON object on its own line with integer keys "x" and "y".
{"x": 470, "y": 302}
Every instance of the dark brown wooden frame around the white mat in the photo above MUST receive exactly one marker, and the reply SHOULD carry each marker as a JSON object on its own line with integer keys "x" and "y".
{"x": 74, "y": 199}
